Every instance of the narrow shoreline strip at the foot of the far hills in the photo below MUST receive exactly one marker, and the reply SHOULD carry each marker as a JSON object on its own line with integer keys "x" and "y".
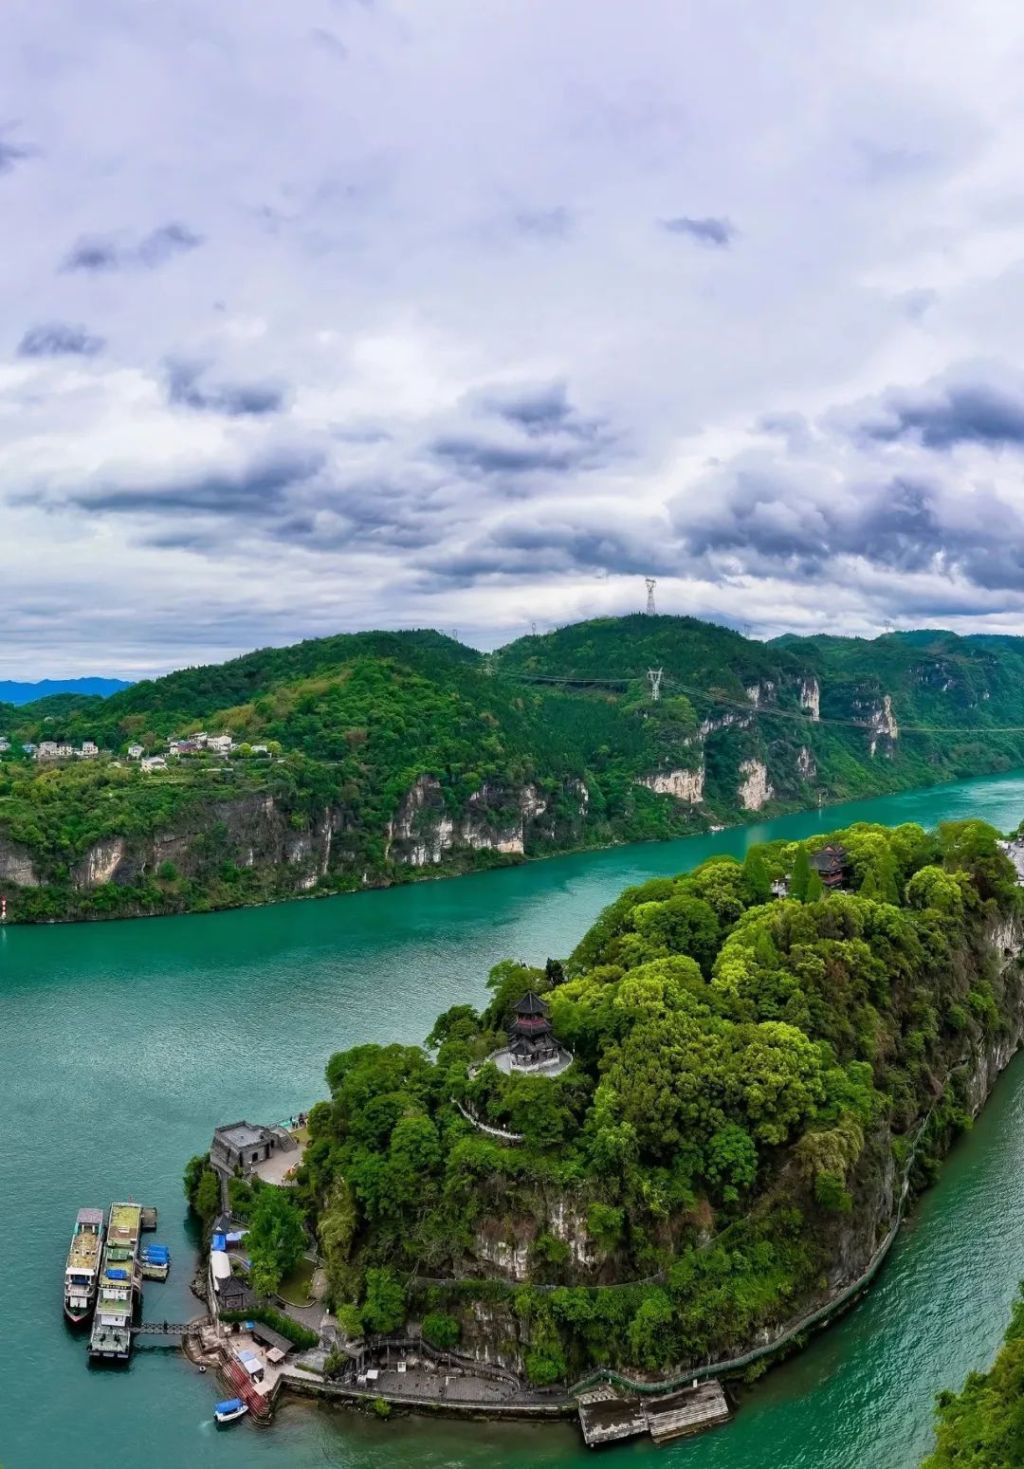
{"x": 506, "y": 862}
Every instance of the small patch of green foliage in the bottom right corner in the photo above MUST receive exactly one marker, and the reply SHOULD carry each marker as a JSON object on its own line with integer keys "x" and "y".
{"x": 982, "y": 1427}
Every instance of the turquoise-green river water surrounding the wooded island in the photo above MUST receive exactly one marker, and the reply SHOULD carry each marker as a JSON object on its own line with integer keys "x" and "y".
{"x": 123, "y": 1045}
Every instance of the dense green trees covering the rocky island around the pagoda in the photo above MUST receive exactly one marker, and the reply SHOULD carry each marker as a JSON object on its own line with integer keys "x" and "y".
{"x": 750, "y": 1080}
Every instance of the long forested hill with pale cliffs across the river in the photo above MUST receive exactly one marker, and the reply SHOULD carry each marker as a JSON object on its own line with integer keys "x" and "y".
{"x": 381, "y": 756}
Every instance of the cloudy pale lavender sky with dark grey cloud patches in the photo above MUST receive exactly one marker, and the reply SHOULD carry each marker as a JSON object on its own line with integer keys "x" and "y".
{"x": 353, "y": 314}
